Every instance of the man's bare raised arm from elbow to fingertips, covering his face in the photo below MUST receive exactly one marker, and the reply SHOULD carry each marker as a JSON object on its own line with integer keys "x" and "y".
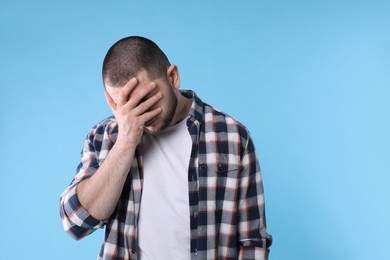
{"x": 100, "y": 193}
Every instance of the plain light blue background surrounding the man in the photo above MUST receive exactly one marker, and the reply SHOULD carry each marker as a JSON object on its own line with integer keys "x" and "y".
{"x": 310, "y": 79}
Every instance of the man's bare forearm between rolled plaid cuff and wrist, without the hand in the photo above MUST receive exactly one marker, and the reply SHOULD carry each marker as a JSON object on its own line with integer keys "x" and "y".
{"x": 100, "y": 193}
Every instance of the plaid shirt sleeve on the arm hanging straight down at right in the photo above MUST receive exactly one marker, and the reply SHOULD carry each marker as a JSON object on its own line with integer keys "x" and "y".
{"x": 254, "y": 241}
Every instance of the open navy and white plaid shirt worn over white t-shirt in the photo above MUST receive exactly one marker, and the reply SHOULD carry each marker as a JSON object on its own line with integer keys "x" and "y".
{"x": 226, "y": 198}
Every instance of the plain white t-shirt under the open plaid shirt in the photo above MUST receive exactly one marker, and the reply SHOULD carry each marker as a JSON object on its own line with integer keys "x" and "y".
{"x": 164, "y": 219}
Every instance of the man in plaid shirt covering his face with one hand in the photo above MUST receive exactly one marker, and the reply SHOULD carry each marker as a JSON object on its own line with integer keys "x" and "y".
{"x": 168, "y": 175}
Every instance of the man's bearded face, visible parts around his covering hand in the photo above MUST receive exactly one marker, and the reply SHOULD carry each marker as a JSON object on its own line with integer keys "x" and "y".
{"x": 168, "y": 102}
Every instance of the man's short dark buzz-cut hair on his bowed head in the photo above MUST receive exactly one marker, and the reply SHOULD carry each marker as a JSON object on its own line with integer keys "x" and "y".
{"x": 129, "y": 56}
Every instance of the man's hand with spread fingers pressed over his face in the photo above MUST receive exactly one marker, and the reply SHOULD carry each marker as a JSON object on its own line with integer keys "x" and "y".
{"x": 131, "y": 109}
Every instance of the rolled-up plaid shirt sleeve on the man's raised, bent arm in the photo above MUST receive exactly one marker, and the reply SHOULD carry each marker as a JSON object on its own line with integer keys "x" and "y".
{"x": 75, "y": 218}
